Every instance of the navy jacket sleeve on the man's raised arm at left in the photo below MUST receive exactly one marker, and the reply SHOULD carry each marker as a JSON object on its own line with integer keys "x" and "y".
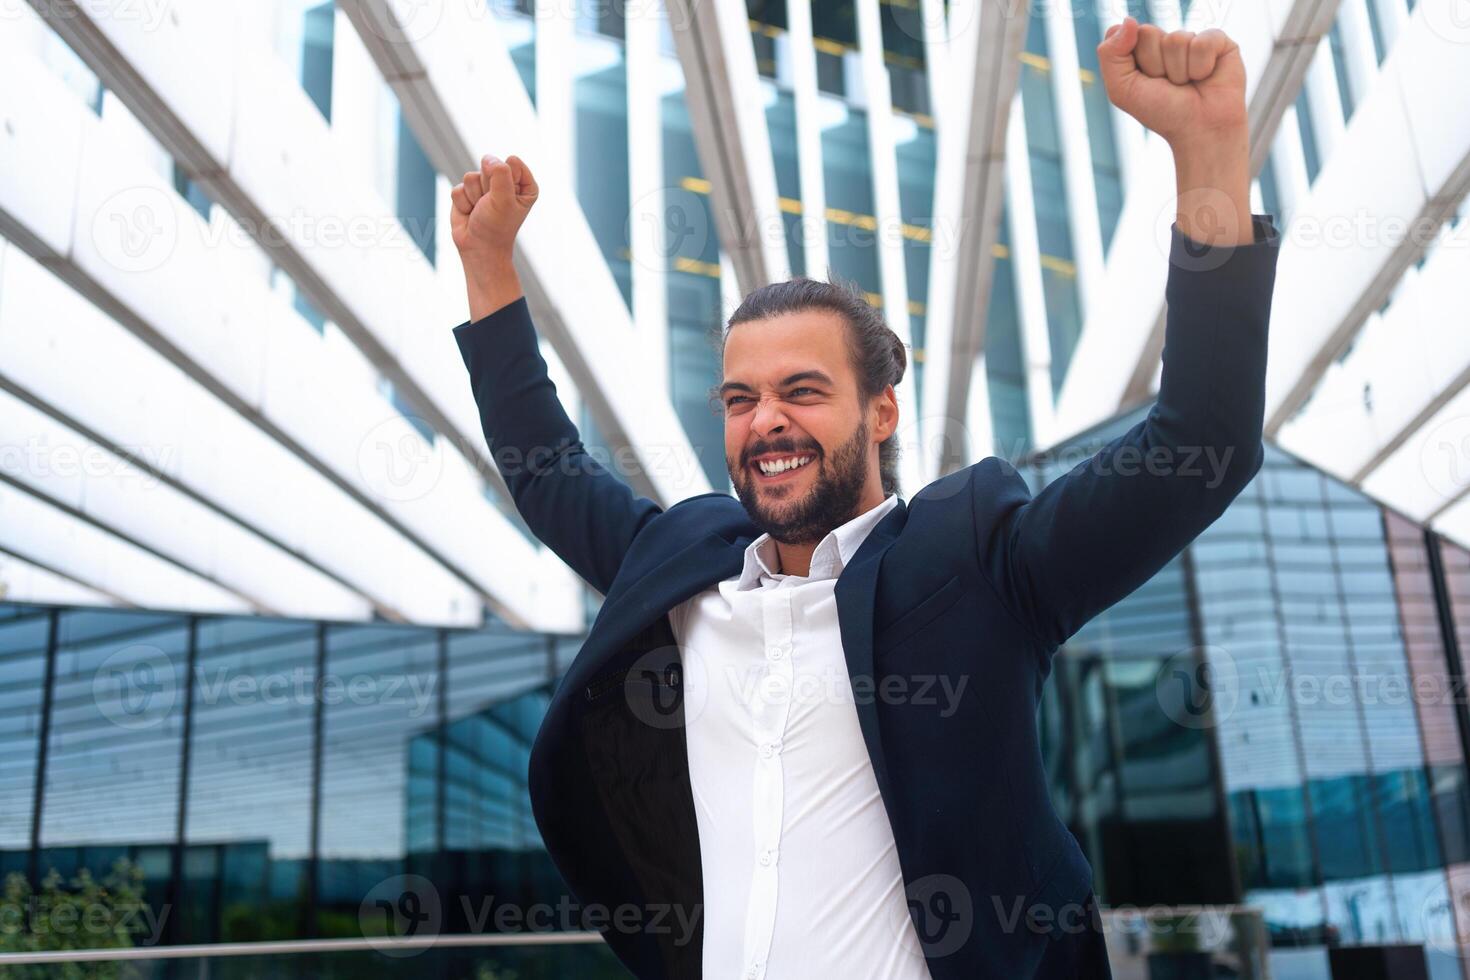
{"x": 570, "y": 500}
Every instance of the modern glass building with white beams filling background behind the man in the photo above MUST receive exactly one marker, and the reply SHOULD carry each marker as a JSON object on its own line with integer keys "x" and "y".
{"x": 242, "y": 469}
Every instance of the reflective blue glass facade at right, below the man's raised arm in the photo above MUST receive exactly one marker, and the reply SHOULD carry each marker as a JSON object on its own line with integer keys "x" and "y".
{"x": 1277, "y": 719}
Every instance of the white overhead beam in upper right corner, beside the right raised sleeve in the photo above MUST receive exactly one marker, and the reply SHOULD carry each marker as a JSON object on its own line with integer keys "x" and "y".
{"x": 1378, "y": 203}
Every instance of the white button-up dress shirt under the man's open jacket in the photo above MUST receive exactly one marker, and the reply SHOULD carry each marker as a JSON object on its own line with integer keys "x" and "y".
{"x": 800, "y": 871}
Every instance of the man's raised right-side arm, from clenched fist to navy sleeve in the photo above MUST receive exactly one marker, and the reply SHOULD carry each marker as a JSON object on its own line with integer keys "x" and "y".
{"x": 1105, "y": 528}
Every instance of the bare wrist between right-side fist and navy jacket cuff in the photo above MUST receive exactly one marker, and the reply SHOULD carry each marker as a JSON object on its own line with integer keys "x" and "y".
{"x": 1213, "y": 186}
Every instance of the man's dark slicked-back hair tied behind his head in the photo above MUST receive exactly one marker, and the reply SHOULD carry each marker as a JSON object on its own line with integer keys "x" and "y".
{"x": 875, "y": 352}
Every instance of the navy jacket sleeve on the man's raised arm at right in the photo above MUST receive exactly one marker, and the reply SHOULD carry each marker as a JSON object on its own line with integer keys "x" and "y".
{"x": 1112, "y": 522}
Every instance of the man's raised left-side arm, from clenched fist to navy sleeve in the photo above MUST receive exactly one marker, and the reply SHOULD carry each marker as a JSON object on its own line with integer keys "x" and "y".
{"x": 571, "y": 503}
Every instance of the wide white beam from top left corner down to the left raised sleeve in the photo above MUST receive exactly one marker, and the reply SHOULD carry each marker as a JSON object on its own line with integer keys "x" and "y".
{"x": 246, "y": 131}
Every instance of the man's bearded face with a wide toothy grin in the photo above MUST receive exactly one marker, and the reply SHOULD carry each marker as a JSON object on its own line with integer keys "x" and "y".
{"x": 790, "y": 393}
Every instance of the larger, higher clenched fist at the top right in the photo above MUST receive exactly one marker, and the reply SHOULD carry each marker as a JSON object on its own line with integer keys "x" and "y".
{"x": 1181, "y": 84}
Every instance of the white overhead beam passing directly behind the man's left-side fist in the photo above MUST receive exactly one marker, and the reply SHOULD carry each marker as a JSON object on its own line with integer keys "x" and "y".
{"x": 462, "y": 96}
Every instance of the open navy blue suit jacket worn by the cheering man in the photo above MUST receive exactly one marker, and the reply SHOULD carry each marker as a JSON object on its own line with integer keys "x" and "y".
{"x": 974, "y": 580}
